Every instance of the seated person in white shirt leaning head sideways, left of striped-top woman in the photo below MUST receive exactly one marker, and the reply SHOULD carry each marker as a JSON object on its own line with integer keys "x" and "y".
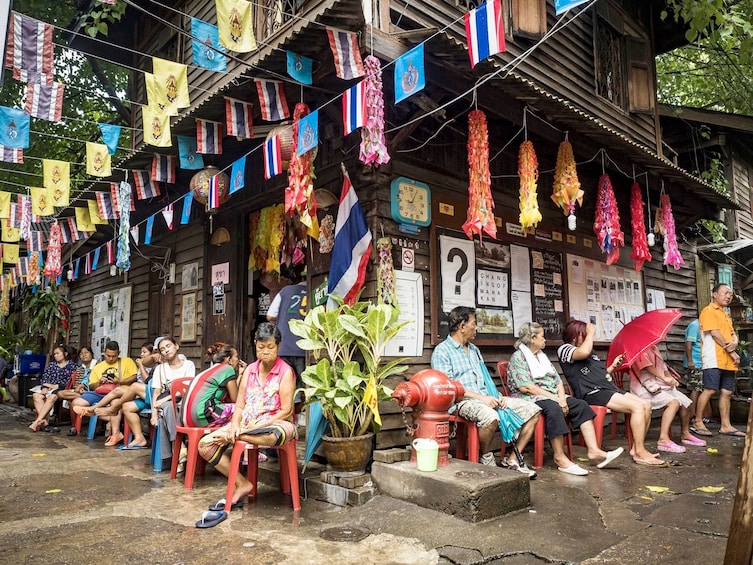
{"x": 173, "y": 366}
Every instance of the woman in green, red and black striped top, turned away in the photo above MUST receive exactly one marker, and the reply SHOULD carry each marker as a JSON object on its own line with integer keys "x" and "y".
{"x": 211, "y": 397}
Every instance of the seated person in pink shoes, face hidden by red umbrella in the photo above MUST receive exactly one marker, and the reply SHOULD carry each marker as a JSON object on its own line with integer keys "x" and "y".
{"x": 650, "y": 379}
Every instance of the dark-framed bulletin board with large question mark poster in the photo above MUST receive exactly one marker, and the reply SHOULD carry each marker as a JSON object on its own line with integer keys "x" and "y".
{"x": 508, "y": 284}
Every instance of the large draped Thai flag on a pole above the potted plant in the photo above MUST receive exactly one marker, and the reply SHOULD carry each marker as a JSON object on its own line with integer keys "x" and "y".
{"x": 352, "y": 248}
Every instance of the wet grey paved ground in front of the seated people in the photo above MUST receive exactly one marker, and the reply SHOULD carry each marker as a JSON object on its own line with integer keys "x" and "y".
{"x": 68, "y": 501}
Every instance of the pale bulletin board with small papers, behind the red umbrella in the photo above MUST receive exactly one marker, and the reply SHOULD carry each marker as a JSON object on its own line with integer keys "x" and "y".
{"x": 607, "y": 296}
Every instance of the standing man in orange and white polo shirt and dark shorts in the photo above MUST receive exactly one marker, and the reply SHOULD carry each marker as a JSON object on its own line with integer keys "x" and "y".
{"x": 720, "y": 361}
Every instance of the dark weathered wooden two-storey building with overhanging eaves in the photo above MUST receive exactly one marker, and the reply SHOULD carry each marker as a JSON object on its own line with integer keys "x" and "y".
{"x": 587, "y": 76}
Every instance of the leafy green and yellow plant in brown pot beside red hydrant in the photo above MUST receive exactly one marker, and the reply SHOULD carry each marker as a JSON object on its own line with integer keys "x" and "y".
{"x": 353, "y": 339}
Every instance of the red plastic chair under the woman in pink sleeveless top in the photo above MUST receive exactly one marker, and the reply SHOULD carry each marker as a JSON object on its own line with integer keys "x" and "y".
{"x": 288, "y": 470}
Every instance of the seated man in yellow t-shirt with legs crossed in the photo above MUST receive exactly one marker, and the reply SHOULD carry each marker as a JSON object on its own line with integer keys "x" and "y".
{"x": 120, "y": 372}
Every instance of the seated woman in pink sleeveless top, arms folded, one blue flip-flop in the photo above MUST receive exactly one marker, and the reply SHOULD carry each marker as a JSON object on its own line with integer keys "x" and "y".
{"x": 263, "y": 415}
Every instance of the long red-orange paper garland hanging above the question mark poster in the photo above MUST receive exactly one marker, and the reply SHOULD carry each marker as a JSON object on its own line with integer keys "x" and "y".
{"x": 480, "y": 201}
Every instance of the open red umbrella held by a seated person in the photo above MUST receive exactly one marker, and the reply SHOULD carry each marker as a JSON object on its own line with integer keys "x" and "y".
{"x": 637, "y": 336}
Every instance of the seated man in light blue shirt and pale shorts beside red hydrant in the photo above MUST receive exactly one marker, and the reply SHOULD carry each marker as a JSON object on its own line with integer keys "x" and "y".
{"x": 461, "y": 360}
